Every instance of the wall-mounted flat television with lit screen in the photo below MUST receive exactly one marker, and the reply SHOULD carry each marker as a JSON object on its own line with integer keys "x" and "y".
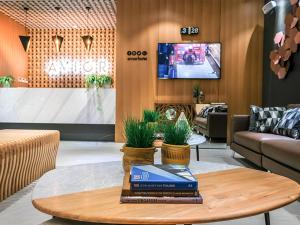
{"x": 189, "y": 61}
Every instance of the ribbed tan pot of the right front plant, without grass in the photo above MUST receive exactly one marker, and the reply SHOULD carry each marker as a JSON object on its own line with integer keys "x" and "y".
{"x": 175, "y": 154}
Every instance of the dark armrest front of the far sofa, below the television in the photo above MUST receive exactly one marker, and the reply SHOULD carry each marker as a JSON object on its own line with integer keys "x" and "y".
{"x": 217, "y": 124}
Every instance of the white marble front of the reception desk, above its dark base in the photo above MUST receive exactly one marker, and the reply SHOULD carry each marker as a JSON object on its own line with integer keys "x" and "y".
{"x": 57, "y": 105}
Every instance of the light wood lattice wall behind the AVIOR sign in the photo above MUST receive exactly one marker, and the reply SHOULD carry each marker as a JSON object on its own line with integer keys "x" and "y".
{"x": 42, "y": 50}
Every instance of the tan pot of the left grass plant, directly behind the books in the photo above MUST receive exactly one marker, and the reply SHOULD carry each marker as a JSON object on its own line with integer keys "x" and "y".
{"x": 137, "y": 156}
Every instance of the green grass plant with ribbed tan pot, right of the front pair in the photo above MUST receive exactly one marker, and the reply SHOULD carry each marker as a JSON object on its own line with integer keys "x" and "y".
{"x": 175, "y": 149}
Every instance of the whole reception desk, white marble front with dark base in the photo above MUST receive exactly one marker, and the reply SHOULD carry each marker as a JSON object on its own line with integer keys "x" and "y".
{"x": 79, "y": 113}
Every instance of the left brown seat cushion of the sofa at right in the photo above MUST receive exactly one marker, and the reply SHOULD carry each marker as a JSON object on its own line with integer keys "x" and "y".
{"x": 253, "y": 140}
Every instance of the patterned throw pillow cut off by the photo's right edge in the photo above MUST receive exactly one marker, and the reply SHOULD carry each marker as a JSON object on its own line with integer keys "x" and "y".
{"x": 289, "y": 125}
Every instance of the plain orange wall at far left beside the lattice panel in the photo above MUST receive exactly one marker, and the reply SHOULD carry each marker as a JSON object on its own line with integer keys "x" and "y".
{"x": 13, "y": 58}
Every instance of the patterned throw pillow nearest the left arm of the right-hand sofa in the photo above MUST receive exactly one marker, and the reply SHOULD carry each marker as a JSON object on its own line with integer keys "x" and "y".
{"x": 264, "y": 120}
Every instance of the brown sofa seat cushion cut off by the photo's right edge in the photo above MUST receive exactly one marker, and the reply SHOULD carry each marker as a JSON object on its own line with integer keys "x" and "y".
{"x": 286, "y": 152}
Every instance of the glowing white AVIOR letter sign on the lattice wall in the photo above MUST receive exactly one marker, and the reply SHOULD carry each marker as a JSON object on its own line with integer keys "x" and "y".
{"x": 67, "y": 66}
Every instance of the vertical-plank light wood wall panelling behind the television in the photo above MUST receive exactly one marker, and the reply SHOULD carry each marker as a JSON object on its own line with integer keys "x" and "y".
{"x": 141, "y": 24}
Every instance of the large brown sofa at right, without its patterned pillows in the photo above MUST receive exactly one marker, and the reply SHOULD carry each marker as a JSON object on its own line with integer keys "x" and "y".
{"x": 278, "y": 154}
